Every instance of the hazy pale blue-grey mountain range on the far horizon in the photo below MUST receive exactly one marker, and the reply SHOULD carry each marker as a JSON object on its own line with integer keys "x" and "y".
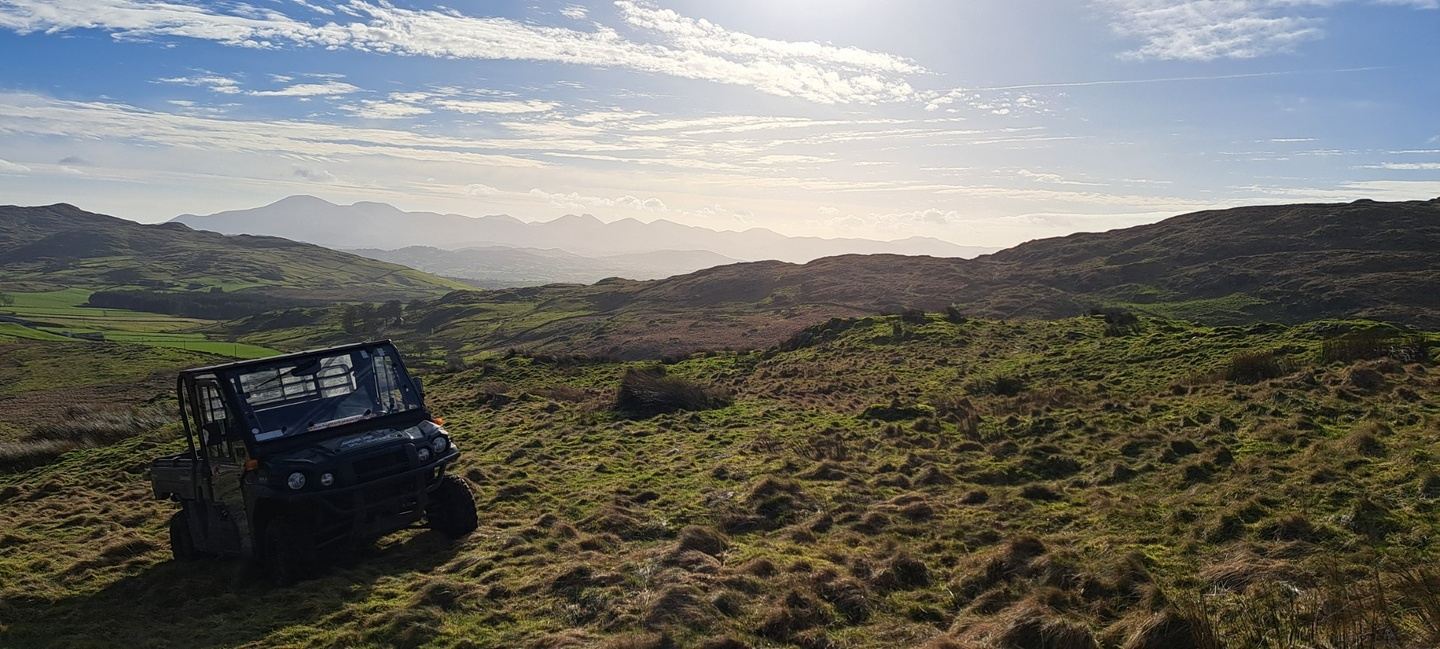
{"x": 387, "y": 228}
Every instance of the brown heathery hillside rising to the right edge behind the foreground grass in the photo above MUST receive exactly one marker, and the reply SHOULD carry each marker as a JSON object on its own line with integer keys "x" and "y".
{"x": 1287, "y": 264}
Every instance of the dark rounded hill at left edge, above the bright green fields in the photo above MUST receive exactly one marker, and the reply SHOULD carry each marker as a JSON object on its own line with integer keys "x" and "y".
{"x": 66, "y": 248}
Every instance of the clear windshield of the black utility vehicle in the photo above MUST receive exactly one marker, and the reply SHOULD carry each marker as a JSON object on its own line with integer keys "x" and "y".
{"x": 316, "y": 394}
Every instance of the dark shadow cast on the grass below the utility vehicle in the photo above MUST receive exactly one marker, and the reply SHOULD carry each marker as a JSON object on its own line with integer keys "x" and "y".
{"x": 210, "y": 604}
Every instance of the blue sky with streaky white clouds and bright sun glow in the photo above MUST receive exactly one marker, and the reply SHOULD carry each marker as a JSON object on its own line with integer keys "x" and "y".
{"x": 980, "y": 122}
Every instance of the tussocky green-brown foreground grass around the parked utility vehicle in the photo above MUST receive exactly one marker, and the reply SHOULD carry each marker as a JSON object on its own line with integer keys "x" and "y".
{"x": 870, "y": 483}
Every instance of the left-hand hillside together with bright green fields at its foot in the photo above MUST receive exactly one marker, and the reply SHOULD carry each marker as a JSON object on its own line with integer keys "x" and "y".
{"x": 67, "y": 273}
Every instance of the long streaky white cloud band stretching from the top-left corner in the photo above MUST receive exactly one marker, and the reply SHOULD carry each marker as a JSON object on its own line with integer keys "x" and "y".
{"x": 692, "y": 50}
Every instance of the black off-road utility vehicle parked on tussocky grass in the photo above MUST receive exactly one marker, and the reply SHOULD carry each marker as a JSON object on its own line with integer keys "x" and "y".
{"x": 297, "y": 455}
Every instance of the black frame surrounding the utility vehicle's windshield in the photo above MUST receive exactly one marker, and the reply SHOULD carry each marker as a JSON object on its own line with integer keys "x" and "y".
{"x": 253, "y": 425}
